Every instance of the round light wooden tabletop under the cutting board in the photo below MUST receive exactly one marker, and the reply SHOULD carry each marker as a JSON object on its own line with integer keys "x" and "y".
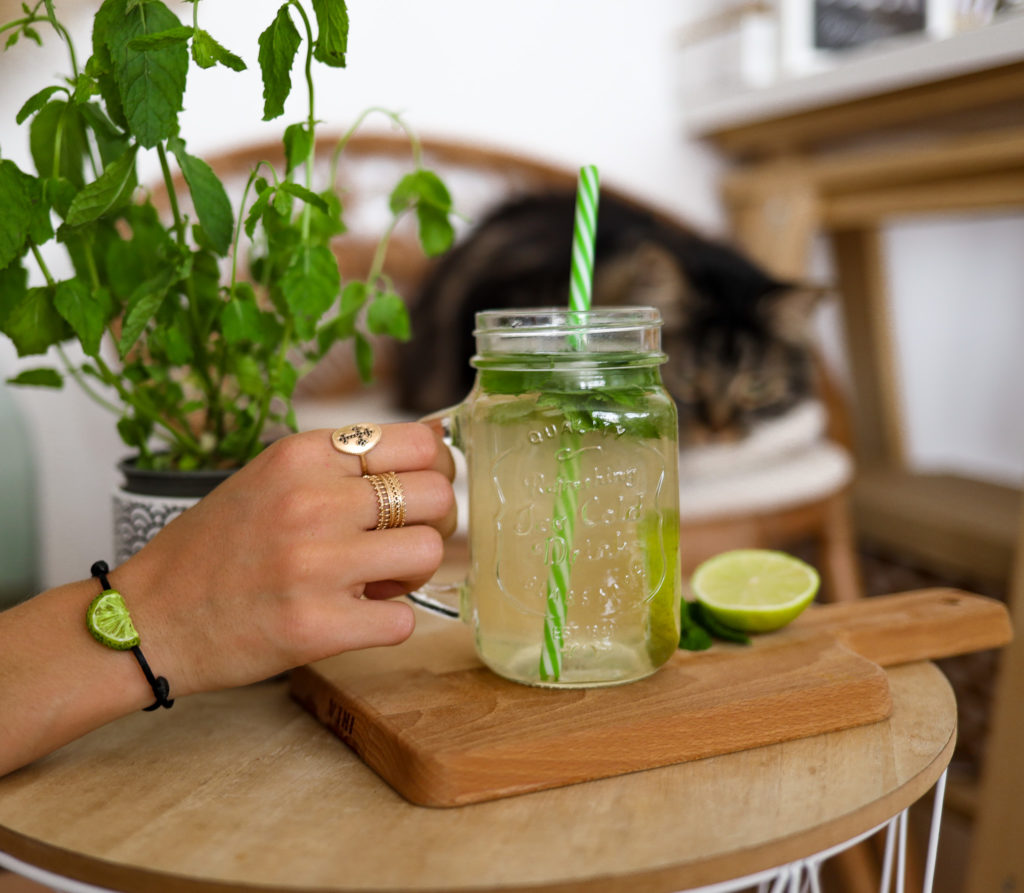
{"x": 244, "y": 791}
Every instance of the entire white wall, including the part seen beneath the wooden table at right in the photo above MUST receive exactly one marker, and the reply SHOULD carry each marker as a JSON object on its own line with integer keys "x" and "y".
{"x": 574, "y": 81}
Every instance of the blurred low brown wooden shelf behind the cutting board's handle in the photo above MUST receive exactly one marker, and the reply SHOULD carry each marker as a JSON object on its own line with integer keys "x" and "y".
{"x": 955, "y": 525}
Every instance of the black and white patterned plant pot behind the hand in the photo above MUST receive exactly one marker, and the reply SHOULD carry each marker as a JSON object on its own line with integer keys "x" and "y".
{"x": 150, "y": 499}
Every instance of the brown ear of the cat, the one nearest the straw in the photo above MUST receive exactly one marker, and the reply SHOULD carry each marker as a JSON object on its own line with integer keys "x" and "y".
{"x": 650, "y": 276}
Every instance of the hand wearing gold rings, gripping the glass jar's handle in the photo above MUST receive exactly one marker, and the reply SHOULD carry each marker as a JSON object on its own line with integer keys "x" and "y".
{"x": 281, "y": 565}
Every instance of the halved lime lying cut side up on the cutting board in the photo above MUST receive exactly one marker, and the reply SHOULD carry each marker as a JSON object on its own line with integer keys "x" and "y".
{"x": 755, "y": 590}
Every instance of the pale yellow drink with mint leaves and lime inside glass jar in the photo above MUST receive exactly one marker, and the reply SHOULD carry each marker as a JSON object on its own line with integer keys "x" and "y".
{"x": 573, "y": 476}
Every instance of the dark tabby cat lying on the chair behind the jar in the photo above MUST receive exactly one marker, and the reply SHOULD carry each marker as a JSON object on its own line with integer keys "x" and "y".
{"x": 736, "y": 337}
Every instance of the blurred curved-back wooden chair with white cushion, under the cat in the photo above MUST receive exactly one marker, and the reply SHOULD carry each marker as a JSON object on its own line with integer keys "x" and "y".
{"x": 481, "y": 179}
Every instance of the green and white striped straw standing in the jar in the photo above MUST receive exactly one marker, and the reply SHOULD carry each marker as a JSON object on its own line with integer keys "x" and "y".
{"x": 567, "y": 499}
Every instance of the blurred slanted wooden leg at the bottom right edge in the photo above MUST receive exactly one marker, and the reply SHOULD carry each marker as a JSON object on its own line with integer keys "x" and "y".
{"x": 997, "y": 852}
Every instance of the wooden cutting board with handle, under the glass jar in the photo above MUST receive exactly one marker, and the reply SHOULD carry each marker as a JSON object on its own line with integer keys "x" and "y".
{"x": 444, "y": 731}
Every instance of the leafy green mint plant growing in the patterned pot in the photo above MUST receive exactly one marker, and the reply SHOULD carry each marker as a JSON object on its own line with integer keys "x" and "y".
{"x": 206, "y": 365}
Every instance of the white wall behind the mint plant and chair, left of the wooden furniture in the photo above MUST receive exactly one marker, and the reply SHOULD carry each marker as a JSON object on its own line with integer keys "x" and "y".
{"x": 575, "y": 82}
